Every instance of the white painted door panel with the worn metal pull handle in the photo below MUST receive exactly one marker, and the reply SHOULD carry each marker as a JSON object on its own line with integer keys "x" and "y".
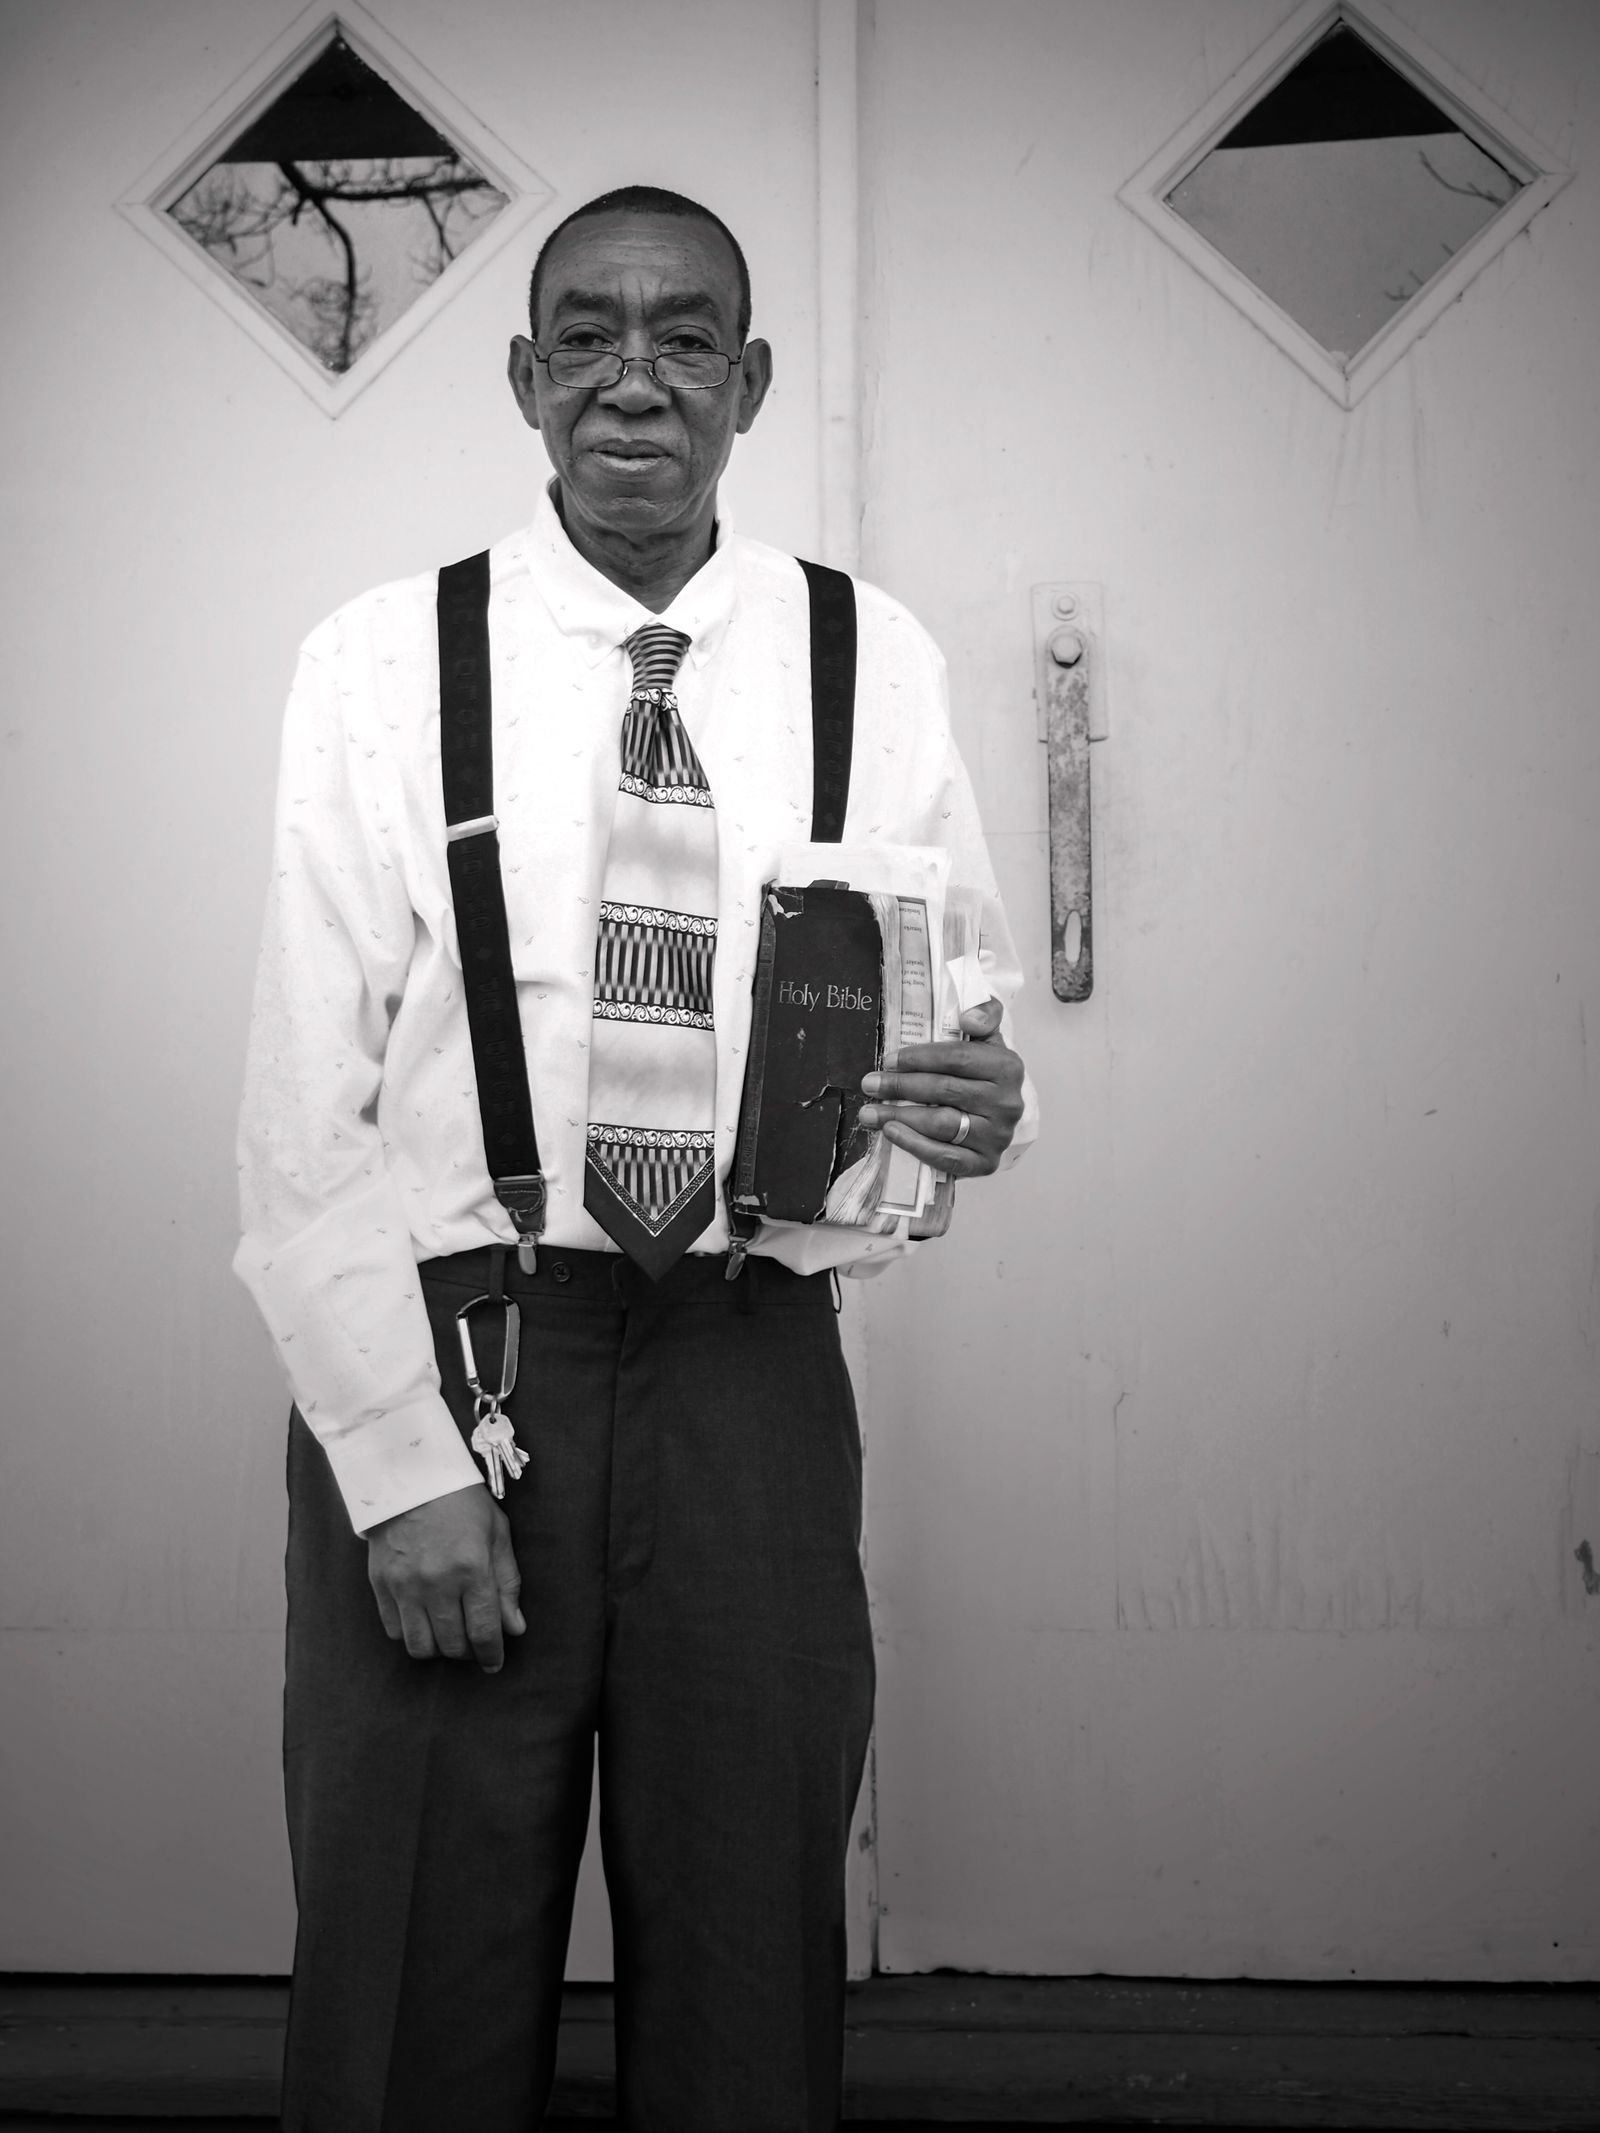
{"x": 1234, "y": 1462}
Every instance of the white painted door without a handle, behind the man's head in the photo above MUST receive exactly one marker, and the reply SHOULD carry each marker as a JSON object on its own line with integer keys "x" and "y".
{"x": 180, "y": 515}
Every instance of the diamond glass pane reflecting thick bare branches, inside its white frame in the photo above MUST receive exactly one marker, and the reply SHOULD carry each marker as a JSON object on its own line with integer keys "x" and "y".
{"x": 338, "y": 206}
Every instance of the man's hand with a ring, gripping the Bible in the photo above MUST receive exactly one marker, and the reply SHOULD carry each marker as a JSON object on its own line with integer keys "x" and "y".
{"x": 925, "y": 1097}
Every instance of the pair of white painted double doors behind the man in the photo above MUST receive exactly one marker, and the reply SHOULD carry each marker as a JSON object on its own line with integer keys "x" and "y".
{"x": 1230, "y": 1464}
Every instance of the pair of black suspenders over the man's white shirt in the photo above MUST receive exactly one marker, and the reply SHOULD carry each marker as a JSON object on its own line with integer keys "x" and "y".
{"x": 473, "y": 831}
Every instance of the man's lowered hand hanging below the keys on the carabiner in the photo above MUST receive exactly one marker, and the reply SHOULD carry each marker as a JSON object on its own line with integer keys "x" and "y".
{"x": 447, "y": 1579}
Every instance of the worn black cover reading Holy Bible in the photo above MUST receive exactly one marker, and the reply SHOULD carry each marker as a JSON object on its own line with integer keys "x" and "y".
{"x": 816, "y": 1029}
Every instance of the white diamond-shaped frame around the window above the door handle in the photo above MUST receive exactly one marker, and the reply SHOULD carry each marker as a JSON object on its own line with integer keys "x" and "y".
{"x": 1445, "y": 86}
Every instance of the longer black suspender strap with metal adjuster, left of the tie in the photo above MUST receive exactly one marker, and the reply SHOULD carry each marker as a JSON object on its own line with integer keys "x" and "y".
{"x": 468, "y": 765}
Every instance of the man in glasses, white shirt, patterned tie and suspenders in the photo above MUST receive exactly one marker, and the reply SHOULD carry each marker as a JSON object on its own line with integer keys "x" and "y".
{"x": 669, "y": 1560}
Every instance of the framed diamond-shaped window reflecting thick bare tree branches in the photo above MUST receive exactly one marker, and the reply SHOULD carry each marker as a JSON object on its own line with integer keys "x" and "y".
{"x": 334, "y": 199}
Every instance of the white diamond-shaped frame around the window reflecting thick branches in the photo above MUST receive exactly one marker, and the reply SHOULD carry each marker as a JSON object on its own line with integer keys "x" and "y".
{"x": 244, "y": 101}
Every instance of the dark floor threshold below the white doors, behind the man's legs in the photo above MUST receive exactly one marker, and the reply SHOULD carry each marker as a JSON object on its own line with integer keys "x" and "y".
{"x": 921, "y": 2053}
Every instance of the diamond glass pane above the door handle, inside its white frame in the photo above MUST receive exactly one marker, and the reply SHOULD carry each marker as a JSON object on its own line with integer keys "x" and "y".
{"x": 1343, "y": 193}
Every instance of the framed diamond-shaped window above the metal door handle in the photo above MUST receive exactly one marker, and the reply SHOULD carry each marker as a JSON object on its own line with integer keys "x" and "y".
{"x": 1343, "y": 191}
